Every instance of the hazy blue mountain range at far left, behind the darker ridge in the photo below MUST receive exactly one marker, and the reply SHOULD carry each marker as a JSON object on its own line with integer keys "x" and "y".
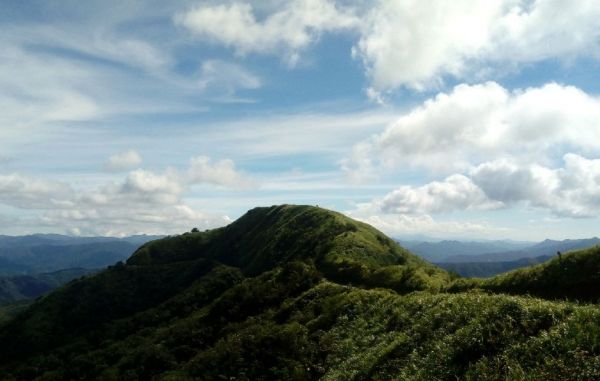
{"x": 51, "y": 252}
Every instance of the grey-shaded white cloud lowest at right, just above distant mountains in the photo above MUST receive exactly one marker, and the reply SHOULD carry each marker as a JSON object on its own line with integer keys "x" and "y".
{"x": 571, "y": 190}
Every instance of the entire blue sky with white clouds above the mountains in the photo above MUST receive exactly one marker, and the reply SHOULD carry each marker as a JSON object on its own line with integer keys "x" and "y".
{"x": 463, "y": 119}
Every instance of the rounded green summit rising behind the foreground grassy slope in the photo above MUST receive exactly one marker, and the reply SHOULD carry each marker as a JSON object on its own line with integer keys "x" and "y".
{"x": 342, "y": 249}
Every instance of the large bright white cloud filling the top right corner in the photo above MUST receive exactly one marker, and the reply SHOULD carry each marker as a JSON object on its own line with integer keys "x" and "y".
{"x": 418, "y": 44}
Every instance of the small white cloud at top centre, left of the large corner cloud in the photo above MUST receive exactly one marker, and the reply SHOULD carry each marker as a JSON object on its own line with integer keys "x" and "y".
{"x": 285, "y": 31}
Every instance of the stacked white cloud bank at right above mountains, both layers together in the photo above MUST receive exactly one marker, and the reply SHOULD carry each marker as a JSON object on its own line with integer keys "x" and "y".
{"x": 536, "y": 147}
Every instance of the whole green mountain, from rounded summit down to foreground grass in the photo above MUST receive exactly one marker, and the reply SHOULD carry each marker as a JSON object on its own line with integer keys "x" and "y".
{"x": 292, "y": 293}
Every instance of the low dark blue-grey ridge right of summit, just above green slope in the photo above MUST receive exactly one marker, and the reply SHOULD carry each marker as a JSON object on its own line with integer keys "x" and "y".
{"x": 488, "y": 269}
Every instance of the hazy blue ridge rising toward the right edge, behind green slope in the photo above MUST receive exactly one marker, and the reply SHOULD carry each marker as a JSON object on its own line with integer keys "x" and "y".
{"x": 547, "y": 248}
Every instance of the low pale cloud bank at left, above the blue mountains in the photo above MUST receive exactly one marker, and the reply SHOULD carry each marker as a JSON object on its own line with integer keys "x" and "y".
{"x": 142, "y": 202}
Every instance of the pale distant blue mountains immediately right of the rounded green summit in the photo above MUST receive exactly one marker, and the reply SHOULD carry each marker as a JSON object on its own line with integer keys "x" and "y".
{"x": 442, "y": 250}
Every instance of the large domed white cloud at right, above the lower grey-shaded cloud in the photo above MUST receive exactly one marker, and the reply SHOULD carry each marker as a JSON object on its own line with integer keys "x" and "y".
{"x": 473, "y": 123}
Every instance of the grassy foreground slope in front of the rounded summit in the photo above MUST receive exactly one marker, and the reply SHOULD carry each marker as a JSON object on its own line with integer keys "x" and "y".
{"x": 290, "y": 324}
